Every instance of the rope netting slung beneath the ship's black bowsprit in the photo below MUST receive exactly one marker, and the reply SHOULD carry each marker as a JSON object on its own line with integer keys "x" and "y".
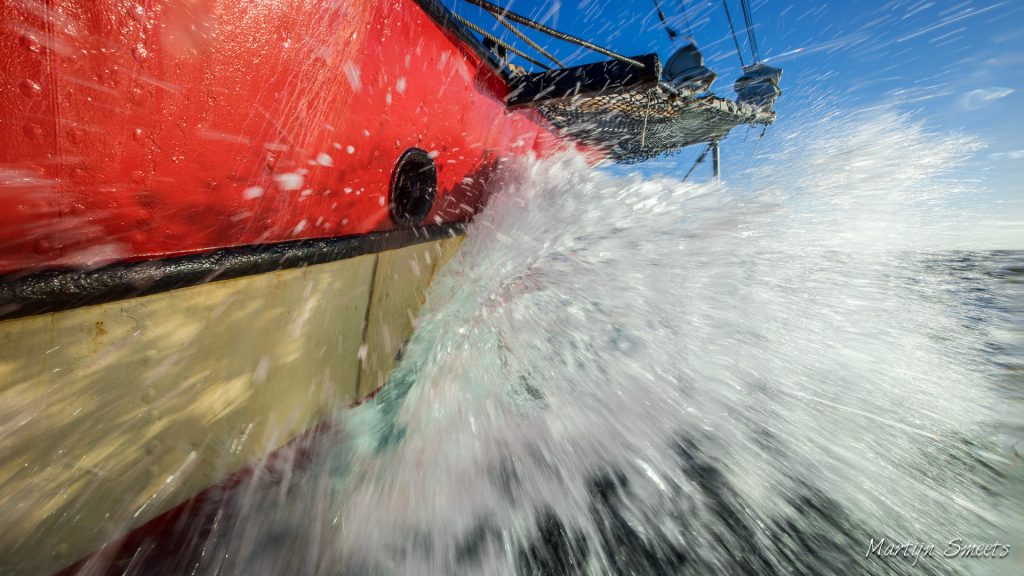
{"x": 641, "y": 126}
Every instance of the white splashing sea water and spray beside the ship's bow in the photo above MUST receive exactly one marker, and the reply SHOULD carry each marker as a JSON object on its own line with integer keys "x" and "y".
{"x": 620, "y": 376}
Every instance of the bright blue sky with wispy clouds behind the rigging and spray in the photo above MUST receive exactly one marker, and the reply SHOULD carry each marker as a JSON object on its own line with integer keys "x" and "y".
{"x": 959, "y": 66}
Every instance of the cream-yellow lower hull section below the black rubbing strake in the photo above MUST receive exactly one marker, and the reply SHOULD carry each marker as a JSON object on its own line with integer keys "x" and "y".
{"x": 120, "y": 413}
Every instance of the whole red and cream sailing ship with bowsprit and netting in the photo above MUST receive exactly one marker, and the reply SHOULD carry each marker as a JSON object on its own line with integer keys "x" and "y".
{"x": 219, "y": 220}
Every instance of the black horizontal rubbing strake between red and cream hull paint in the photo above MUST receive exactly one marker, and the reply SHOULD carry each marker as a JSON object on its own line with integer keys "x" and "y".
{"x": 50, "y": 292}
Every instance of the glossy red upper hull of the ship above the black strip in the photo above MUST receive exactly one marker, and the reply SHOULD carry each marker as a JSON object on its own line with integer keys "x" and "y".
{"x": 137, "y": 133}
